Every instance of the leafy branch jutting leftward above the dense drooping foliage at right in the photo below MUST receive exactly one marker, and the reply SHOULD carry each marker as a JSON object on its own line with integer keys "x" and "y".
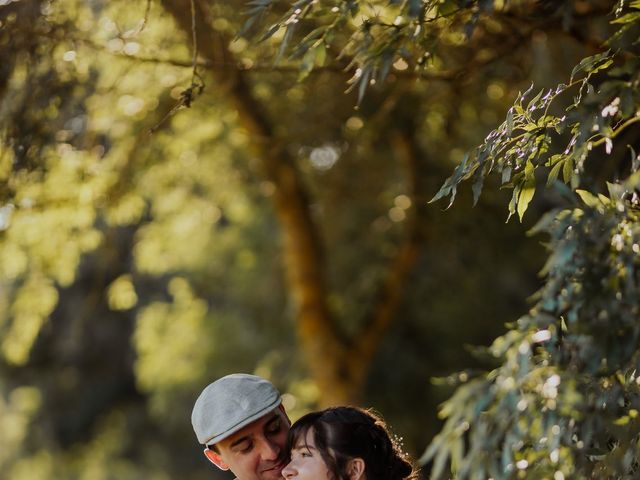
{"x": 523, "y": 142}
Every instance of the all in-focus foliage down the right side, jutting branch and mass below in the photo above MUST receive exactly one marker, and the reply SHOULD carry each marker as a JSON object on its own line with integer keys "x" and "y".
{"x": 563, "y": 402}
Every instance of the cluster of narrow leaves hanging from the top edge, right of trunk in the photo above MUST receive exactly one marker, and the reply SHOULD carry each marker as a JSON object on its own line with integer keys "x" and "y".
{"x": 373, "y": 36}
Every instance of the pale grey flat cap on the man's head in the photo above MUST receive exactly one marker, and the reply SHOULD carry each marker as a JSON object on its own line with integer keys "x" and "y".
{"x": 230, "y": 403}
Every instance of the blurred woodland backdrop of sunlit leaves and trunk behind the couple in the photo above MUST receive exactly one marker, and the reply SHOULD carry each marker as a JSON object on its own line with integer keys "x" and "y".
{"x": 274, "y": 227}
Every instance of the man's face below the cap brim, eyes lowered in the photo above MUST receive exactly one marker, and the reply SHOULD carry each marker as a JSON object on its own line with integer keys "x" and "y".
{"x": 256, "y": 451}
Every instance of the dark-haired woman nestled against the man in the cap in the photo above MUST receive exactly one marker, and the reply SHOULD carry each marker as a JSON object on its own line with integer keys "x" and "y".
{"x": 344, "y": 443}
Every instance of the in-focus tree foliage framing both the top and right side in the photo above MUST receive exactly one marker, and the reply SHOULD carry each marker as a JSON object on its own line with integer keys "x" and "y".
{"x": 562, "y": 401}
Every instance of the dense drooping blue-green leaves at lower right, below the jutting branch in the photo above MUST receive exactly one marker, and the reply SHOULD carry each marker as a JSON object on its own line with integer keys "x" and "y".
{"x": 564, "y": 400}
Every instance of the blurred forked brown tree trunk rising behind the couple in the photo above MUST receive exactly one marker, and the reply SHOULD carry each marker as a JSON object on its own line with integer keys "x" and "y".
{"x": 338, "y": 366}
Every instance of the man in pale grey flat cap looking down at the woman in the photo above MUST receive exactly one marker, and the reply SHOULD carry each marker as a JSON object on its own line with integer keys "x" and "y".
{"x": 242, "y": 424}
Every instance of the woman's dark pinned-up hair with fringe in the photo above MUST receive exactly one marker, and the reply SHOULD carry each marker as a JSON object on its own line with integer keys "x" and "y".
{"x": 343, "y": 433}
